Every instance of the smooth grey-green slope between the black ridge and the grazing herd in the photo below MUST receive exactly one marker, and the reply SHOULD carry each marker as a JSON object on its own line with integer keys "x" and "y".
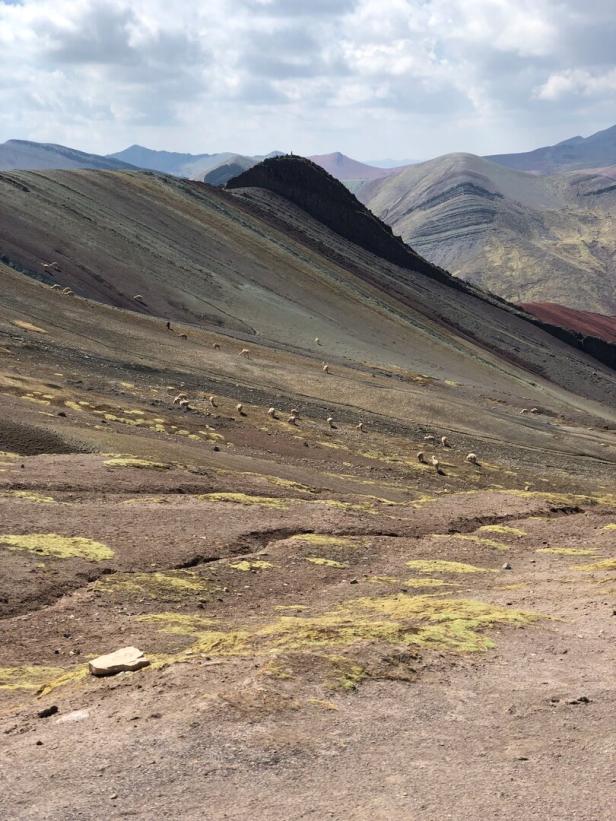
{"x": 254, "y": 266}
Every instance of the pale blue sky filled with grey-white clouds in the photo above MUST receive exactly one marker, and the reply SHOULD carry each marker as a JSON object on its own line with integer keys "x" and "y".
{"x": 375, "y": 79}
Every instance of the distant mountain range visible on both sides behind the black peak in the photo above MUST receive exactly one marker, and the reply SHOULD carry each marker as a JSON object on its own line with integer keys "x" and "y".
{"x": 529, "y": 237}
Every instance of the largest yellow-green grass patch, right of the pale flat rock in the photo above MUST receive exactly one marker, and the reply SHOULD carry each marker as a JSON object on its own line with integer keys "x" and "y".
{"x": 402, "y": 620}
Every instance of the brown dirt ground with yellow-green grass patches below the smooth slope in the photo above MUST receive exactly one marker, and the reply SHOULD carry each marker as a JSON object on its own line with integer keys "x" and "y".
{"x": 335, "y": 629}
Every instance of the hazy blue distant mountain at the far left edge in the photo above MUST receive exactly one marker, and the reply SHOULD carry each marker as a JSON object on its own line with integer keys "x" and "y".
{"x": 30, "y": 156}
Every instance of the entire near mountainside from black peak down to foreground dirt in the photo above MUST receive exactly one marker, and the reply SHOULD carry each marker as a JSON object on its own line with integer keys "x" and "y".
{"x": 335, "y": 627}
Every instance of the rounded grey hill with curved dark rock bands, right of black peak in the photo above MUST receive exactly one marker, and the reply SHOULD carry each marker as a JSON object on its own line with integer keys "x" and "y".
{"x": 525, "y": 237}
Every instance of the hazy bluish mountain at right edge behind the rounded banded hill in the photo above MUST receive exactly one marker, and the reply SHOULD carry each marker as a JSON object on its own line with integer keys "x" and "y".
{"x": 595, "y": 151}
